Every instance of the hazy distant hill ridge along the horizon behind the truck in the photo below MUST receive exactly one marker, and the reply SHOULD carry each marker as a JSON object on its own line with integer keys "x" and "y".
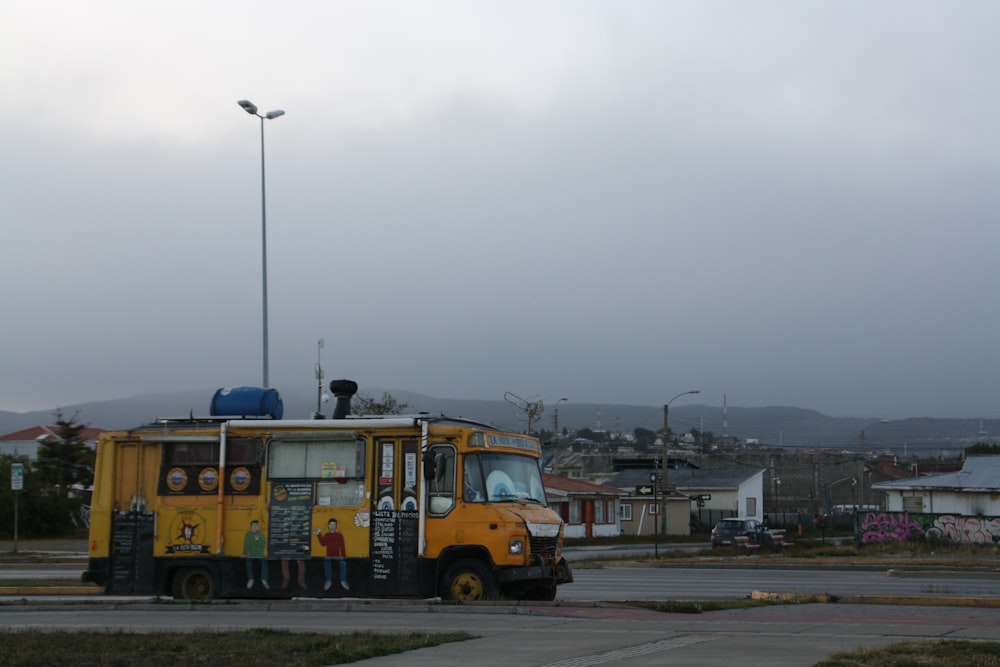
{"x": 771, "y": 426}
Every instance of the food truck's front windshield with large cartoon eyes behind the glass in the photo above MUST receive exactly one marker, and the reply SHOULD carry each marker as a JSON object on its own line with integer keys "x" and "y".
{"x": 498, "y": 477}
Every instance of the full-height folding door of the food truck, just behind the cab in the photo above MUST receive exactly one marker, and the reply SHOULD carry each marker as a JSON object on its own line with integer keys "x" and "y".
{"x": 395, "y": 518}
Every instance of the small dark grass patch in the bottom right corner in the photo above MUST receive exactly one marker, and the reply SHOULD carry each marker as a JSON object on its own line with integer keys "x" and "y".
{"x": 929, "y": 653}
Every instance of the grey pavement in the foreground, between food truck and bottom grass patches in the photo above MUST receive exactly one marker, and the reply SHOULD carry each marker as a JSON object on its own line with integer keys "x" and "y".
{"x": 553, "y": 635}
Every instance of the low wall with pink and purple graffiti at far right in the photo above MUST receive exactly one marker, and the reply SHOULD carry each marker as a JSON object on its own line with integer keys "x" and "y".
{"x": 900, "y": 526}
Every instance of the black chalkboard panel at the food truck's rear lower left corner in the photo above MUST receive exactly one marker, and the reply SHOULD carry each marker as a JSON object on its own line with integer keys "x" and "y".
{"x": 132, "y": 553}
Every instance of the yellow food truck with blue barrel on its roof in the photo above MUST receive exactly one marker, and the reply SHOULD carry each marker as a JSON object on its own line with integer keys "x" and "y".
{"x": 244, "y": 503}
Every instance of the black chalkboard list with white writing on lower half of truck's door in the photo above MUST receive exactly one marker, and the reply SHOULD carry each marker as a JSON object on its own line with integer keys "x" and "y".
{"x": 394, "y": 535}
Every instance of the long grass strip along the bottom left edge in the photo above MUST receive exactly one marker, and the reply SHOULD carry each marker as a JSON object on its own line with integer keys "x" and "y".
{"x": 249, "y": 648}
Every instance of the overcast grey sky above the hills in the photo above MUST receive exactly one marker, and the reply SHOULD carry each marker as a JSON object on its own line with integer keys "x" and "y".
{"x": 790, "y": 203}
